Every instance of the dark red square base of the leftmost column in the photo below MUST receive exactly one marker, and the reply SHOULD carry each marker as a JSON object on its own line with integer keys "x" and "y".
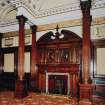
{"x": 20, "y": 89}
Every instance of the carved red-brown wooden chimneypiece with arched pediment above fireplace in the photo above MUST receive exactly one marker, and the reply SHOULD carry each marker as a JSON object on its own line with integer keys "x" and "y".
{"x": 59, "y": 53}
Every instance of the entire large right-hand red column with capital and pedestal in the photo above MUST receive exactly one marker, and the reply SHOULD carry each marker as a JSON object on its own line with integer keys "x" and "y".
{"x": 86, "y": 86}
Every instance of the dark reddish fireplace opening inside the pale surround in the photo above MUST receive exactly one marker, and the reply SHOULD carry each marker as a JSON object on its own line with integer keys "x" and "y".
{"x": 58, "y": 84}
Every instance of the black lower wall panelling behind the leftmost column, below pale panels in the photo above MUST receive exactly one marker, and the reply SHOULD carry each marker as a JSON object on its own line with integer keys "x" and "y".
{"x": 8, "y": 80}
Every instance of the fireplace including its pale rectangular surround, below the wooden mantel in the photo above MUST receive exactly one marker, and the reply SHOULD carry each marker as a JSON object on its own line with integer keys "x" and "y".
{"x": 57, "y": 83}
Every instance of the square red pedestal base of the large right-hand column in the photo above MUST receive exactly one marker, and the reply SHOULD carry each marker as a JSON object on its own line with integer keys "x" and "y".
{"x": 86, "y": 93}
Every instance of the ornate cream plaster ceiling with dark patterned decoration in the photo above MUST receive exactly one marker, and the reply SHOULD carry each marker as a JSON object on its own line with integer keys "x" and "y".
{"x": 39, "y": 9}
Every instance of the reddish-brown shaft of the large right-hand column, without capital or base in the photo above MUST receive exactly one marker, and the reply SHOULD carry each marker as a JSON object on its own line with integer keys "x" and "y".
{"x": 86, "y": 45}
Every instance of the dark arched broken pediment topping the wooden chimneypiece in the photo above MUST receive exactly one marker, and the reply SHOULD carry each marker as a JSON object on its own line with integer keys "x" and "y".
{"x": 65, "y": 36}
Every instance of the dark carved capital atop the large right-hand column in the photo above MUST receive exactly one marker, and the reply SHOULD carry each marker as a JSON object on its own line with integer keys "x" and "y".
{"x": 85, "y": 5}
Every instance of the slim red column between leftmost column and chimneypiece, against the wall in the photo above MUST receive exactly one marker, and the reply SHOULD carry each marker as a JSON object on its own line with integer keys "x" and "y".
{"x": 33, "y": 69}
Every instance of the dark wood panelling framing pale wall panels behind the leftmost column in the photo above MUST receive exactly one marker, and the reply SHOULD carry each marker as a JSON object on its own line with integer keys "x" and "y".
{"x": 8, "y": 78}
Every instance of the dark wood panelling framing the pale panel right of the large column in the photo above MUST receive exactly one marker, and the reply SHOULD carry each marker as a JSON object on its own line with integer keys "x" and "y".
{"x": 99, "y": 80}
